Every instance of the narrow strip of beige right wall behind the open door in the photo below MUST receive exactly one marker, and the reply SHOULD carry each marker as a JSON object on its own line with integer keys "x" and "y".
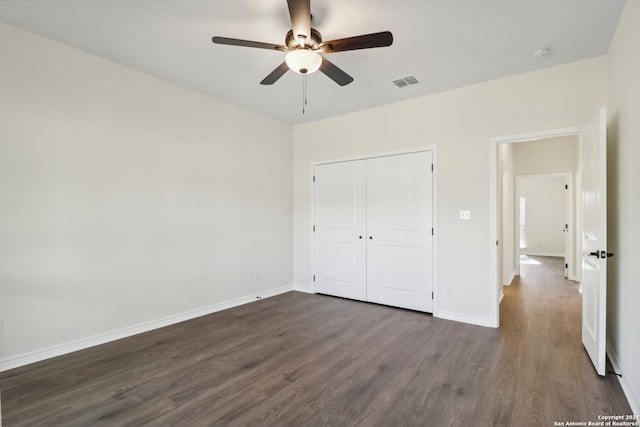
{"x": 623, "y": 315}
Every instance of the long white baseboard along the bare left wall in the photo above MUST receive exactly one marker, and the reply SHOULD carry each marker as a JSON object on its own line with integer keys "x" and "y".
{"x": 81, "y": 344}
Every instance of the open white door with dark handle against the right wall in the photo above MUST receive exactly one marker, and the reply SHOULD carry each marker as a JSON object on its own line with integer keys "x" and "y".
{"x": 594, "y": 241}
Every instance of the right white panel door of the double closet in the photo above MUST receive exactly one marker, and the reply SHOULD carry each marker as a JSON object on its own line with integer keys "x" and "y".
{"x": 399, "y": 236}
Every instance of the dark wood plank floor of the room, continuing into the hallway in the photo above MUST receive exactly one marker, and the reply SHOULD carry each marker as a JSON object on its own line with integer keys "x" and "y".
{"x": 313, "y": 360}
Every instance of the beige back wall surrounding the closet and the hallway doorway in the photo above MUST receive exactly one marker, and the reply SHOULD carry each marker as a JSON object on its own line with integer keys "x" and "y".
{"x": 461, "y": 123}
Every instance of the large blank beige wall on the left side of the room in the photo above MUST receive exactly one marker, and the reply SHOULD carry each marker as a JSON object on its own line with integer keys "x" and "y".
{"x": 125, "y": 199}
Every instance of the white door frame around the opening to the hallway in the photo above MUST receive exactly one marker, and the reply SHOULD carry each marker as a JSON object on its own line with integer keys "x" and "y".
{"x": 495, "y": 205}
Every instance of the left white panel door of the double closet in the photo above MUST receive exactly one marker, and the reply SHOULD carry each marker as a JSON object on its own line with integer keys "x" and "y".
{"x": 339, "y": 236}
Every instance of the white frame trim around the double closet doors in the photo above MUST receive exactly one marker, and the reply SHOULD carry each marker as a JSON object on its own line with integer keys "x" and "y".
{"x": 434, "y": 206}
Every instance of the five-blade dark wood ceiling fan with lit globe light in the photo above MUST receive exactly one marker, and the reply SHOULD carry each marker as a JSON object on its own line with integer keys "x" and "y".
{"x": 304, "y": 46}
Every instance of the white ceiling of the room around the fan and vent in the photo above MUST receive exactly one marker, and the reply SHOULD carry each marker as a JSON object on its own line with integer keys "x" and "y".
{"x": 445, "y": 43}
